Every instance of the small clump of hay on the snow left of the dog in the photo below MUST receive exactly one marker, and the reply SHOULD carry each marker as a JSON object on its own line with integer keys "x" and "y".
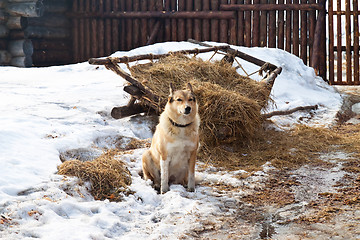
{"x": 108, "y": 176}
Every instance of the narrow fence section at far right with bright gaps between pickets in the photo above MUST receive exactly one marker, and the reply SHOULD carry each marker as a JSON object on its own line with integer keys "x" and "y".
{"x": 344, "y": 42}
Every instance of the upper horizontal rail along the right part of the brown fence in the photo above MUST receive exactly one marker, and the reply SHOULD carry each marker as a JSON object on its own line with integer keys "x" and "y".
{"x": 270, "y": 7}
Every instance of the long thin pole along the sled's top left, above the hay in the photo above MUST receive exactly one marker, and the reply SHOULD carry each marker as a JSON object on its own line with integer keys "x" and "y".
{"x": 104, "y": 61}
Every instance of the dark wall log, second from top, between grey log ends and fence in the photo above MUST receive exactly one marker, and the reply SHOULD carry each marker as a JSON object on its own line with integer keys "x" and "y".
{"x": 50, "y": 20}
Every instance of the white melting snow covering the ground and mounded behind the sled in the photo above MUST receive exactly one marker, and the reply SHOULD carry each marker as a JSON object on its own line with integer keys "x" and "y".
{"x": 46, "y": 111}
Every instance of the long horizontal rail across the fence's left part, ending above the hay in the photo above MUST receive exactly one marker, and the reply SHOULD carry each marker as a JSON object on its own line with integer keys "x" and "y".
{"x": 159, "y": 14}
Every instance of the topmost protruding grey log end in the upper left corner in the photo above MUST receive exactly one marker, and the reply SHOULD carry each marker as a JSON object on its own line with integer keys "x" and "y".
{"x": 26, "y": 9}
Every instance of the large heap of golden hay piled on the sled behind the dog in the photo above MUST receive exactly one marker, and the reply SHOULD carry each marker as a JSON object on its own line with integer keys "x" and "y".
{"x": 229, "y": 104}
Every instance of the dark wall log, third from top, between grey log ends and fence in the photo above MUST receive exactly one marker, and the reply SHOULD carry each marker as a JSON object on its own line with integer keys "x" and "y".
{"x": 46, "y": 32}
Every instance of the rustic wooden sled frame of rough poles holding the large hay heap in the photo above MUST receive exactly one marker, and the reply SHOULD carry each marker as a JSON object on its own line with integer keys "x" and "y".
{"x": 138, "y": 91}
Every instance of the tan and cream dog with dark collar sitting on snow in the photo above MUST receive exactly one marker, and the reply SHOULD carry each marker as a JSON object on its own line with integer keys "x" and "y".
{"x": 172, "y": 154}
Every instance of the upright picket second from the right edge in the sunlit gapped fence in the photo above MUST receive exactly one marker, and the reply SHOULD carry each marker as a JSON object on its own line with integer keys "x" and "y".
{"x": 348, "y": 42}
